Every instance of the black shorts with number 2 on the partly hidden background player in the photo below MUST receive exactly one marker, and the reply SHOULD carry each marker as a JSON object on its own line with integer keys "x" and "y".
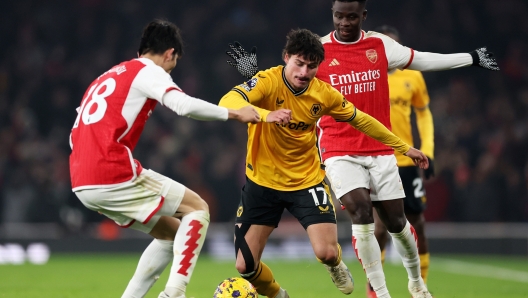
{"x": 415, "y": 200}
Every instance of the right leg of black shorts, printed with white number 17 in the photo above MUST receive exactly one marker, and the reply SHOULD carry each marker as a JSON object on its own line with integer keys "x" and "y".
{"x": 312, "y": 205}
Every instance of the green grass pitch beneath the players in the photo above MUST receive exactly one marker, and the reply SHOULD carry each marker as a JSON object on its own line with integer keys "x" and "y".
{"x": 101, "y": 276}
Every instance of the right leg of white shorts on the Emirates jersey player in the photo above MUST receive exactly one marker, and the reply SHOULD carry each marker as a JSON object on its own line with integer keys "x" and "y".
{"x": 385, "y": 182}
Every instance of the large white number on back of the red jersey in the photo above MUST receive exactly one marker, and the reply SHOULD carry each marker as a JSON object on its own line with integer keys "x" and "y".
{"x": 94, "y": 98}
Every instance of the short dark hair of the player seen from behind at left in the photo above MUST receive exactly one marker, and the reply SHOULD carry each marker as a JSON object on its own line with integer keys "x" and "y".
{"x": 159, "y": 36}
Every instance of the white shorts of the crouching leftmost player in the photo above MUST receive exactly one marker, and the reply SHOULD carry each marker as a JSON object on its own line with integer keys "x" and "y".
{"x": 138, "y": 204}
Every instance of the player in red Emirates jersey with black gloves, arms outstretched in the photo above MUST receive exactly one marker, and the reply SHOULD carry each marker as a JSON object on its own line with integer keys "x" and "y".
{"x": 363, "y": 172}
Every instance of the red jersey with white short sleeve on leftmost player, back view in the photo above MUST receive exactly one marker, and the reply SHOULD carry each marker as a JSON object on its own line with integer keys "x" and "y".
{"x": 110, "y": 120}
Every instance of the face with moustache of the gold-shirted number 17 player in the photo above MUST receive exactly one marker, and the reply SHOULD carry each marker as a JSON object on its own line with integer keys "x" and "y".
{"x": 299, "y": 71}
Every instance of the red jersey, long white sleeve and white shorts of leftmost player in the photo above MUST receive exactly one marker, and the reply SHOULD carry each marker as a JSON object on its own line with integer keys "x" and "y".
{"x": 110, "y": 120}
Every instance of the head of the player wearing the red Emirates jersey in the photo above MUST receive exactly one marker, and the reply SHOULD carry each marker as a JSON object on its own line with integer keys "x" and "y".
{"x": 348, "y": 18}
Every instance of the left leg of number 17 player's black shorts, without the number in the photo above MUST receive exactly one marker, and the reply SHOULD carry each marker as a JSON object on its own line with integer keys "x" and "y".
{"x": 259, "y": 205}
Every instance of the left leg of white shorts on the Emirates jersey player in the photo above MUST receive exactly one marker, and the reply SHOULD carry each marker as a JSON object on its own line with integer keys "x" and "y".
{"x": 347, "y": 173}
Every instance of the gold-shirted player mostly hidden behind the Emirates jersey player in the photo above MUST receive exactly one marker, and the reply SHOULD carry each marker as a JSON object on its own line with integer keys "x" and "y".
{"x": 407, "y": 90}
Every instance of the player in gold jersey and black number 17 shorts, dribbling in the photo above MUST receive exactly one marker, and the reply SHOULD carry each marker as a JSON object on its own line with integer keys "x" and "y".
{"x": 283, "y": 167}
